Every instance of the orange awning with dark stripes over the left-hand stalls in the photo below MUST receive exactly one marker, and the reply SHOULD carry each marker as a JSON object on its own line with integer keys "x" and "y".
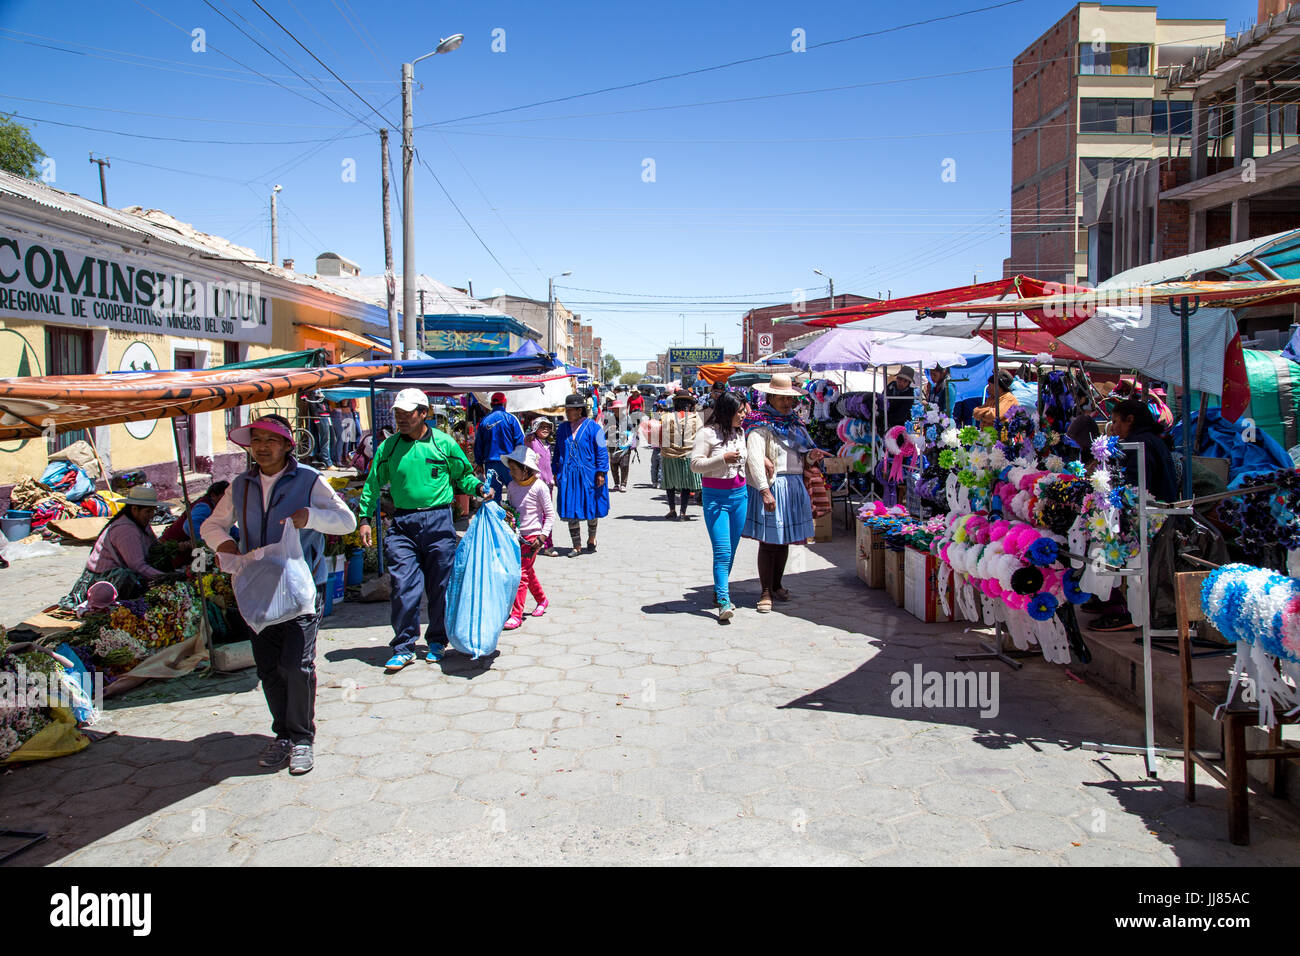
{"x": 68, "y": 403}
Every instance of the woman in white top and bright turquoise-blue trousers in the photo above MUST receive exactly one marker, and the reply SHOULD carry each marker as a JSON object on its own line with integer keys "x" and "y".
{"x": 718, "y": 457}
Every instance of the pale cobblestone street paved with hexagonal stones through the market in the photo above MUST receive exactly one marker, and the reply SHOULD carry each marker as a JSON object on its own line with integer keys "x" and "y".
{"x": 629, "y": 728}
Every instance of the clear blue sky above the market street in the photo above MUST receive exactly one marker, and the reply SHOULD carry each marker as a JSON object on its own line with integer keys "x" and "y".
{"x": 748, "y": 197}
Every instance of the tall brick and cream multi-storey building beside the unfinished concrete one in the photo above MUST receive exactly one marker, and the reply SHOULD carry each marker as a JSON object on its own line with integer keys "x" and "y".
{"x": 1089, "y": 102}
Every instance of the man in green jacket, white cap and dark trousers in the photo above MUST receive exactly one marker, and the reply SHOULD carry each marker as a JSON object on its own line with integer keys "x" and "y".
{"x": 424, "y": 469}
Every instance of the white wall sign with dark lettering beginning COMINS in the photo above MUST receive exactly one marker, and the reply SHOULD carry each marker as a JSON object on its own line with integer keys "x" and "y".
{"x": 60, "y": 285}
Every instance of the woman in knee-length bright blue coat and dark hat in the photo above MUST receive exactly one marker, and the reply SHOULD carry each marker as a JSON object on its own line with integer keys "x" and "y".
{"x": 580, "y": 466}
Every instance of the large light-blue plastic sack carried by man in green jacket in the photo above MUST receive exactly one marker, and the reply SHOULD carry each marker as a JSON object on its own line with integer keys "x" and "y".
{"x": 484, "y": 582}
